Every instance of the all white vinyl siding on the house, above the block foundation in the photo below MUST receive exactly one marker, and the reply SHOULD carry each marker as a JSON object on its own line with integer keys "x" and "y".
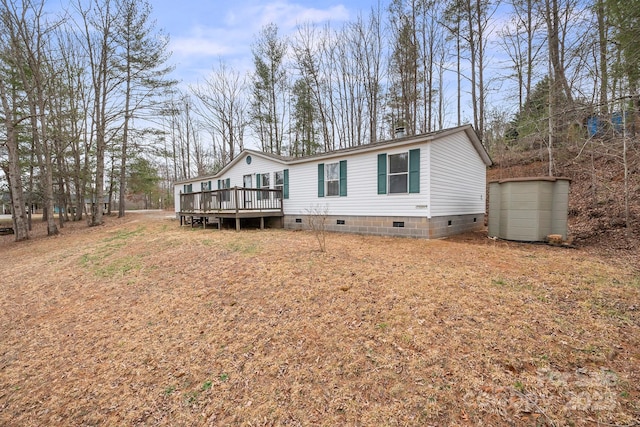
{"x": 450, "y": 173}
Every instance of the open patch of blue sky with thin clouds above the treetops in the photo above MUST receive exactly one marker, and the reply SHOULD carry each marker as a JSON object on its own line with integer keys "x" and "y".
{"x": 204, "y": 32}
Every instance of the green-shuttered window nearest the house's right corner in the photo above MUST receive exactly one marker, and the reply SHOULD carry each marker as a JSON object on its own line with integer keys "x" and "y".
{"x": 399, "y": 173}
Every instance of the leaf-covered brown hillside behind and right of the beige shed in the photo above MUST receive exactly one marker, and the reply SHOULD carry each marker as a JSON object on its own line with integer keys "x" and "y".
{"x": 596, "y": 204}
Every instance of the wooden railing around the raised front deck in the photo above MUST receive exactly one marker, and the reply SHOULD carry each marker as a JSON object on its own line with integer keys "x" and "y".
{"x": 236, "y": 199}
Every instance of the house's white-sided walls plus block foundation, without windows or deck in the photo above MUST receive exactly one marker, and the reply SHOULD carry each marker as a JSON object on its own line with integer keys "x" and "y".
{"x": 452, "y": 180}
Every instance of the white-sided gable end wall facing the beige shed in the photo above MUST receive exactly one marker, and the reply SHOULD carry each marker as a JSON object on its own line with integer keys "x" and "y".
{"x": 458, "y": 177}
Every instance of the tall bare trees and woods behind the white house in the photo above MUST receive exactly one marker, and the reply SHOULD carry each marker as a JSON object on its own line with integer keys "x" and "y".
{"x": 90, "y": 112}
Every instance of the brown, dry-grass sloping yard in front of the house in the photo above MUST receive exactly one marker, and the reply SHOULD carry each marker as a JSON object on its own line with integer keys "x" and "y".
{"x": 142, "y": 322}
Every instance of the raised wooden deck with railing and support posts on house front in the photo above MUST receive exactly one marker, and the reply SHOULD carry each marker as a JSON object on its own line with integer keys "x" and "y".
{"x": 209, "y": 206}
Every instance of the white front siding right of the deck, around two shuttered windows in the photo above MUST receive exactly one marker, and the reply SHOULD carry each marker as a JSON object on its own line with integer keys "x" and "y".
{"x": 362, "y": 189}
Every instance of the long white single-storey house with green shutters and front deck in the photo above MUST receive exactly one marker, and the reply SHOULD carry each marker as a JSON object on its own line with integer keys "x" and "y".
{"x": 431, "y": 185}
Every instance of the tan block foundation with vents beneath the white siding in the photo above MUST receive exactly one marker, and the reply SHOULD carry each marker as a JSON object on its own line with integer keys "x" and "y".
{"x": 419, "y": 227}
